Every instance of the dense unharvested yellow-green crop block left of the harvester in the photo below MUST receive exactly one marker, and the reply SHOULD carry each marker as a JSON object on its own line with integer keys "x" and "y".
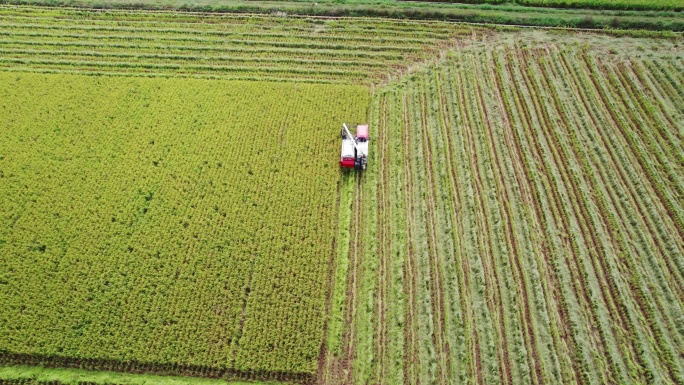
{"x": 172, "y": 225}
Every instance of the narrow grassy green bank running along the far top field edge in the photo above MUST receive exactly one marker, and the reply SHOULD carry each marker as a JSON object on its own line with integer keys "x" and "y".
{"x": 473, "y": 13}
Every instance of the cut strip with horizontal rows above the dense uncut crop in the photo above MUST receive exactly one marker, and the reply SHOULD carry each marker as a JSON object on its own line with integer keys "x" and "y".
{"x": 227, "y": 46}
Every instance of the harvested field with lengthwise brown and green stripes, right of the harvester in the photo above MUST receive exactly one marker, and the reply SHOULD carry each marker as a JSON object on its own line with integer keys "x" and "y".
{"x": 523, "y": 222}
